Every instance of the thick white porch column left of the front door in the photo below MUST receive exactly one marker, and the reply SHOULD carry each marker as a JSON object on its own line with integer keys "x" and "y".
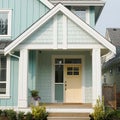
{"x": 23, "y": 75}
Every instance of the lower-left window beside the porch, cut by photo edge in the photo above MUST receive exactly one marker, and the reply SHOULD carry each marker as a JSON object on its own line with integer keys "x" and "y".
{"x": 3, "y": 76}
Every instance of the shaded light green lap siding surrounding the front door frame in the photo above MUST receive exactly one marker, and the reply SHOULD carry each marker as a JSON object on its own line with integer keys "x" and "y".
{"x": 44, "y": 69}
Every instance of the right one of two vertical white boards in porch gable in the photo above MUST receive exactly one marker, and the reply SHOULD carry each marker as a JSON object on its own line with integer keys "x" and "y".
{"x": 64, "y": 32}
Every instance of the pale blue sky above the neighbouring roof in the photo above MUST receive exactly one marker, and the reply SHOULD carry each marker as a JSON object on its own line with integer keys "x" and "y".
{"x": 110, "y": 16}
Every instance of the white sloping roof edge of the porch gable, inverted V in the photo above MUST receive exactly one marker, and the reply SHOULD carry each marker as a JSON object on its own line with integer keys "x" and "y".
{"x": 71, "y": 16}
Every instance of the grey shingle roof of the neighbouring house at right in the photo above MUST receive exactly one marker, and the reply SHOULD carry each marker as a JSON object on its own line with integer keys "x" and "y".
{"x": 114, "y": 35}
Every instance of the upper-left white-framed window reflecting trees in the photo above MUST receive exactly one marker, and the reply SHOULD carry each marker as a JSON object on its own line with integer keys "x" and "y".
{"x": 5, "y": 23}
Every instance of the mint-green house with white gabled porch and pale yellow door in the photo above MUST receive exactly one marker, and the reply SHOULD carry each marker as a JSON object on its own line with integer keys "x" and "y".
{"x": 51, "y": 47}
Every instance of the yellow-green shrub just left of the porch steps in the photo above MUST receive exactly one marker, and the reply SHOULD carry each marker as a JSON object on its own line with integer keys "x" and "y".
{"x": 39, "y": 112}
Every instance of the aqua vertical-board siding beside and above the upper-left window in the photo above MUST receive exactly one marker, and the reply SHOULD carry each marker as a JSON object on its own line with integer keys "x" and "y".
{"x": 24, "y": 13}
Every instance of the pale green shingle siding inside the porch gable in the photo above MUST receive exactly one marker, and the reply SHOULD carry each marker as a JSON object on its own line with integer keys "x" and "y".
{"x": 45, "y": 34}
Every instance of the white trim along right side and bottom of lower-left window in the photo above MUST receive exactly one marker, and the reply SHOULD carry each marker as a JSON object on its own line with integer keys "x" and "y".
{"x": 7, "y": 95}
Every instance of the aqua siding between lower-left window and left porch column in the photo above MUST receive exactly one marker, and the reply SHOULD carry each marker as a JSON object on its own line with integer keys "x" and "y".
{"x": 12, "y": 101}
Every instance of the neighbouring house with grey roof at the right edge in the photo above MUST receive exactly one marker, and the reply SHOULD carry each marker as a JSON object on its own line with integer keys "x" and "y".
{"x": 111, "y": 64}
